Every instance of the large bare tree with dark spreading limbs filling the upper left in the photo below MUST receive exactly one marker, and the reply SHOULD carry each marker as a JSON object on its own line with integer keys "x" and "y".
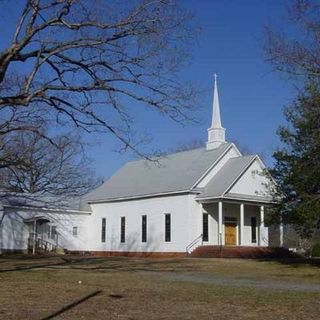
{"x": 86, "y": 62}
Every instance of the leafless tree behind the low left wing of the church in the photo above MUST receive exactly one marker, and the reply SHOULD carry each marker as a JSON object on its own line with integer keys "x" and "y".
{"x": 45, "y": 169}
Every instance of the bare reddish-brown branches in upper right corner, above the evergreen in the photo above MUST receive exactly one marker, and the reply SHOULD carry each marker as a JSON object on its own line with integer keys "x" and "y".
{"x": 297, "y": 53}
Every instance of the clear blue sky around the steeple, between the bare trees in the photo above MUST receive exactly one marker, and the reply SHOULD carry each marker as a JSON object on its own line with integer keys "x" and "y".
{"x": 251, "y": 95}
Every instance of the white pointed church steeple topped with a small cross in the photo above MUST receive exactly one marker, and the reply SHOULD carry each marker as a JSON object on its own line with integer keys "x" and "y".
{"x": 216, "y": 133}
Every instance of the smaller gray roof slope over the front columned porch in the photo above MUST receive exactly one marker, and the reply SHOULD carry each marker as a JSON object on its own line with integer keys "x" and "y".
{"x": 219, "y": 184}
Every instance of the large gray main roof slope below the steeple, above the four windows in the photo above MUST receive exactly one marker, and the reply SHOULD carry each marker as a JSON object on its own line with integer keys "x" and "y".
{"x": 172, "y": 173}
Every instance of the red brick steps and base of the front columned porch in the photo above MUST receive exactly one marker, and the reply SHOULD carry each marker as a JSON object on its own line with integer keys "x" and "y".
{"x": 241, "y": 252}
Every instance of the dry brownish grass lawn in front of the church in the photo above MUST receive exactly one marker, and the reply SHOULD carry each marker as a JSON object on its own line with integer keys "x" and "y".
{"x": 124, "y": 288}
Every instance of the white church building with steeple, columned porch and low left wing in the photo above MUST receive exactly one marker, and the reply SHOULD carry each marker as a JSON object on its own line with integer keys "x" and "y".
{"x": 208, "y": 196}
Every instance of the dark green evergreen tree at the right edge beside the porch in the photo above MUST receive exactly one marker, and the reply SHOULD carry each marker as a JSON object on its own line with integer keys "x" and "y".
{"x": 297, "y": 163}
